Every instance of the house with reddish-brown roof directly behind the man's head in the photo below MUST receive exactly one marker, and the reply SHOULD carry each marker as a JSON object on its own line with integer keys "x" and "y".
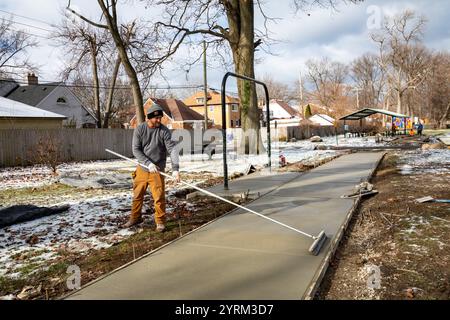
{"x": 176, "y": 114}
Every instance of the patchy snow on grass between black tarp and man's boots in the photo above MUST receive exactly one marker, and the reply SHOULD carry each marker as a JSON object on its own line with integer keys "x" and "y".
{"x": 92, "y": 223}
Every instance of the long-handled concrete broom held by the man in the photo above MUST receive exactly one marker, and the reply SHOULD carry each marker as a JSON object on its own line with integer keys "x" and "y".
{"x": 319, "y": 240}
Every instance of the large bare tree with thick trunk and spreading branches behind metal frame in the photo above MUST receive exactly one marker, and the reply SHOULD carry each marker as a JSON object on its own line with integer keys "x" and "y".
{"x": 230, "y": 23}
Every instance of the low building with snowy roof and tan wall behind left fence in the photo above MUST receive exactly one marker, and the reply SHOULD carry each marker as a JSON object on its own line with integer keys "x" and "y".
{"x": 17, "y": 115}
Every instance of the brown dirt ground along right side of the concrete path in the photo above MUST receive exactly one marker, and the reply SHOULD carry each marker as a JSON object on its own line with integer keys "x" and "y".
{"x": 407, "y": 241}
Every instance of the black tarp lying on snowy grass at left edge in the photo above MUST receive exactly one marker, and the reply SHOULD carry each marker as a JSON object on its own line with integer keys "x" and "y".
{"x": 21, "y": 213}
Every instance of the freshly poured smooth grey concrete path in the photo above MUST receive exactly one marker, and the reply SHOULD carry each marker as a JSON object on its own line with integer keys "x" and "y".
{"x": 242, "y": 256}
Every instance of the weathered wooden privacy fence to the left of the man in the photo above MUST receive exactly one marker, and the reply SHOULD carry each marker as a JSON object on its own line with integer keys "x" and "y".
{"x": 20, "y": 147}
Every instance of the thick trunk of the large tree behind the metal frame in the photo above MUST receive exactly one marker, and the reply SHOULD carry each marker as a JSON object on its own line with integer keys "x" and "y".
{"x": 243, "y": 57}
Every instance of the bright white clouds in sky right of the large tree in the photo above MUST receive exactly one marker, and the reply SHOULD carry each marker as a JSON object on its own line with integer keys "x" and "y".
{"x": 344, "y": 35}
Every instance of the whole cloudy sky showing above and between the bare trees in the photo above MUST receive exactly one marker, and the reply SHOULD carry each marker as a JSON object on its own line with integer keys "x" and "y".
{"x": 342, "y": 35}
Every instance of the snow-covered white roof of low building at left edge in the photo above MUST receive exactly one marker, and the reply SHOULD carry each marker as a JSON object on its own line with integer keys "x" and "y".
{"x": 14, "y": 109}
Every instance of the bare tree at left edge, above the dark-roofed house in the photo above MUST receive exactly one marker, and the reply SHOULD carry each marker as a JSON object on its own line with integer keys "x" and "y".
{"x": 13, "y": 50}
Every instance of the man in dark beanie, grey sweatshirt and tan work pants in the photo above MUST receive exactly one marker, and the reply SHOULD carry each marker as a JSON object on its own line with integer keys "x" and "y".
{"x": 151, "y": 143}
